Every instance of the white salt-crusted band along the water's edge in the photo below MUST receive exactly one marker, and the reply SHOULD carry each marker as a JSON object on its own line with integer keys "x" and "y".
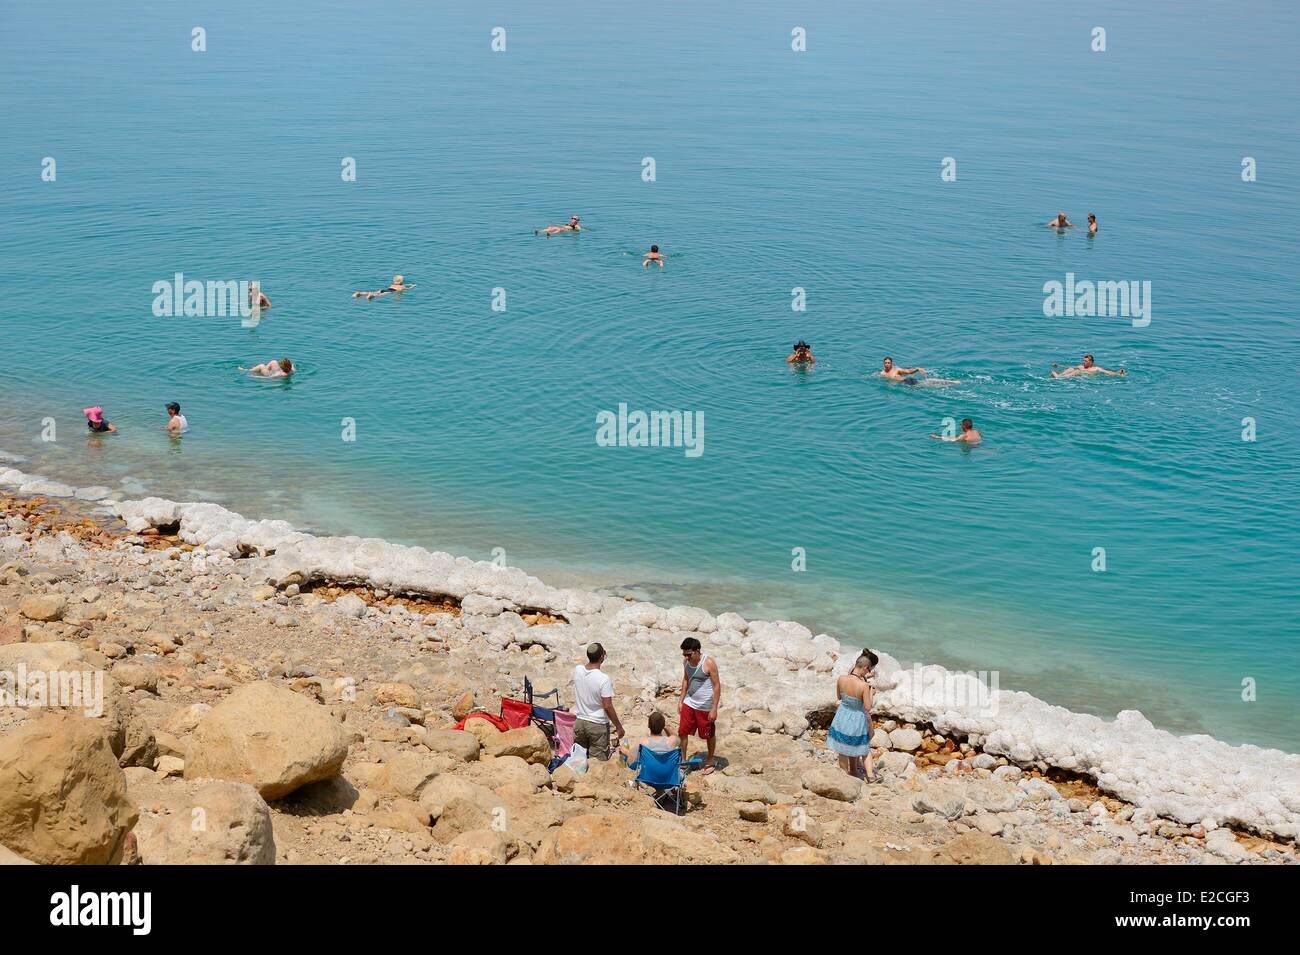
{"x": 1181, "y": 779}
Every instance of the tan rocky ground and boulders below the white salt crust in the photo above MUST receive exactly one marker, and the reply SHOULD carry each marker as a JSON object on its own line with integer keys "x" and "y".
{"x": 185, "y": 639}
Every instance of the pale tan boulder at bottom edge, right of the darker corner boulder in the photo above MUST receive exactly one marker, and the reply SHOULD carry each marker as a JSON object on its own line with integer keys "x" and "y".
{"x": 218, "y": 824}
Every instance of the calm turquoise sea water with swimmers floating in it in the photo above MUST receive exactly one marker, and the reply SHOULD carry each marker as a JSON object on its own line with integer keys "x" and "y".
{"x": 476, "y": 429}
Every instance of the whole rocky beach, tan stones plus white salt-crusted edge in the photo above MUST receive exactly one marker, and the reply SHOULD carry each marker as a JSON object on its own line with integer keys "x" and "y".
{"x": 267, "y": 697}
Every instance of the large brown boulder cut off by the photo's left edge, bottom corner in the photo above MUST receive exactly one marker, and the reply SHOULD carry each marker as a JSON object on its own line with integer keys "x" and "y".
{"x": 63, "y": 797}
